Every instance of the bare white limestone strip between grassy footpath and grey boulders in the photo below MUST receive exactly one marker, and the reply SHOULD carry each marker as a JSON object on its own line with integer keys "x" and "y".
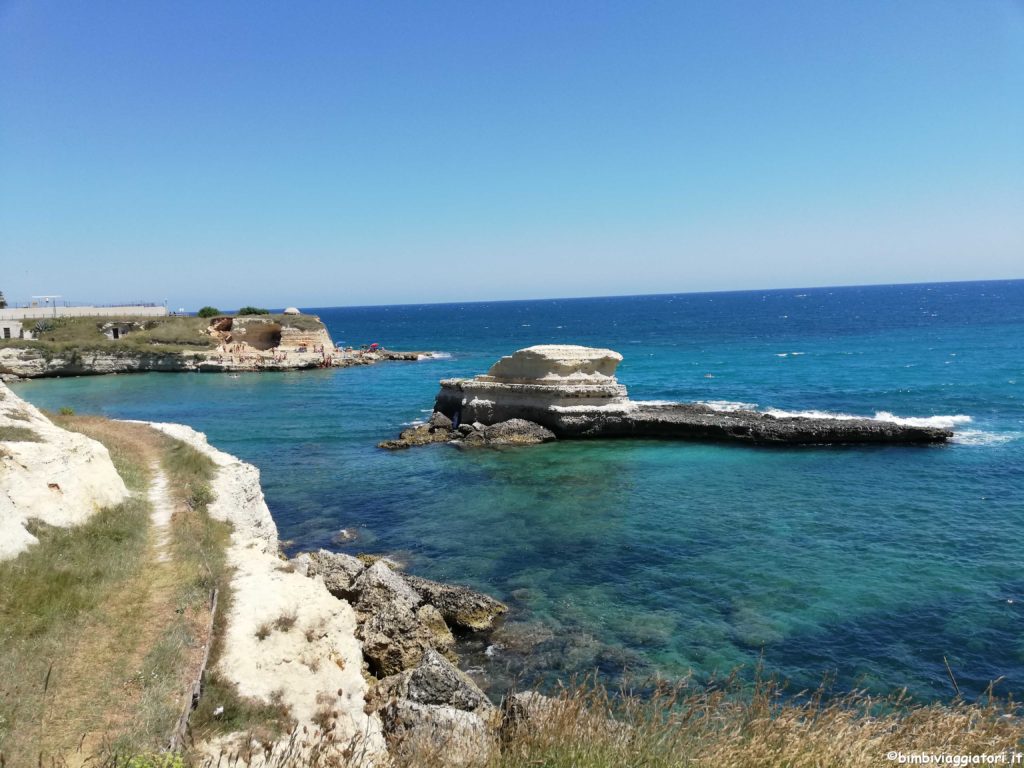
{"x": 315, "y": 665}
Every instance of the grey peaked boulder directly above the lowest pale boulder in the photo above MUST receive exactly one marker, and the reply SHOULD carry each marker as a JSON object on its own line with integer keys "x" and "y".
{"x": 436, "y": 681}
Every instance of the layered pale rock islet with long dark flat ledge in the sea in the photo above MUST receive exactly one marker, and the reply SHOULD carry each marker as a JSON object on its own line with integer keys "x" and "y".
{"x": 569, "y": 392}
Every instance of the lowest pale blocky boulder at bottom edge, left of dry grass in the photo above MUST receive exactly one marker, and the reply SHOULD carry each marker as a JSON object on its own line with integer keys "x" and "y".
{"x": 437, "y": 736}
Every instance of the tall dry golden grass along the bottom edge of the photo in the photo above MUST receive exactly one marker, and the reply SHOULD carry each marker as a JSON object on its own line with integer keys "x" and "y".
{"x": 679, "y": 727}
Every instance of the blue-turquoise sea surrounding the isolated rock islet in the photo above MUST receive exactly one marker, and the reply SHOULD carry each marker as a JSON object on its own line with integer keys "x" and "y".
{"x": 866, "y": 566}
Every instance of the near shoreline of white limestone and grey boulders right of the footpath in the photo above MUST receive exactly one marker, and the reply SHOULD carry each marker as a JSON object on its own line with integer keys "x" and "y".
{"x": 372, "y": 657}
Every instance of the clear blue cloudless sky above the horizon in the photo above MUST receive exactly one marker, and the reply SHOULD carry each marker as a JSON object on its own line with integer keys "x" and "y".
{"x": 374, "y": 152}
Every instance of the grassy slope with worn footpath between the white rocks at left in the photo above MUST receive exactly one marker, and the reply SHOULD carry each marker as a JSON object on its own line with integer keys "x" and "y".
{"x": 103, "y": 625}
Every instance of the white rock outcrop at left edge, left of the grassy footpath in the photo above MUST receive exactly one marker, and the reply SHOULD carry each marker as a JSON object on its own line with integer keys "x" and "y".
{"x": 49, "y": 475}
